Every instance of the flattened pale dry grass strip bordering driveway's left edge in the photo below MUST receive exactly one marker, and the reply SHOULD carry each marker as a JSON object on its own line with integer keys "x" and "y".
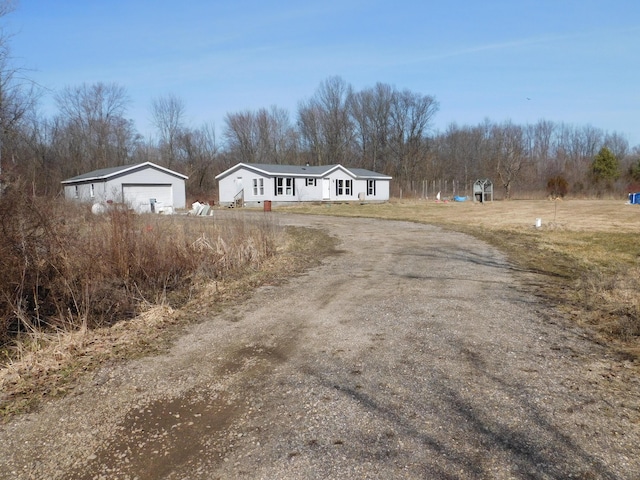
{"x": 42, "y": 364}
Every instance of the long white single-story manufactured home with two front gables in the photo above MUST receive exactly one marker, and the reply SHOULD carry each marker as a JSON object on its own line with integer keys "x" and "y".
{"x": 252, "y": 184}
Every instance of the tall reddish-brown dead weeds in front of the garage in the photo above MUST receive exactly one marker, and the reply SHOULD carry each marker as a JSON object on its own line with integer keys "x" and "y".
{"x": 65, "y": 268}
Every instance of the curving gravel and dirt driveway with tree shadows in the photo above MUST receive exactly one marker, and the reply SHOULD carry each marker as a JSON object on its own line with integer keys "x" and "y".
{"x": 414, "y": 353}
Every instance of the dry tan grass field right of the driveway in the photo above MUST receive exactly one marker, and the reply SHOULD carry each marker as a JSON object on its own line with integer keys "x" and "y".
{"x": 585, "y": 254}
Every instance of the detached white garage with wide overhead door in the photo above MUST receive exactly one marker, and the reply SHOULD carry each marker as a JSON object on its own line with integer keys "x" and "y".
{"x": 145, "y": 187}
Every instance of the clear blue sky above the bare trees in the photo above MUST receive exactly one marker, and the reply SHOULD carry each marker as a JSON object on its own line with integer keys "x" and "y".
{"x": 572, "y": 61}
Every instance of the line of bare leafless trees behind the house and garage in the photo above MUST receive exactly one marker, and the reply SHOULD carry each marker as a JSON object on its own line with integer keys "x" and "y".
{"x": 380, "y": 128}
